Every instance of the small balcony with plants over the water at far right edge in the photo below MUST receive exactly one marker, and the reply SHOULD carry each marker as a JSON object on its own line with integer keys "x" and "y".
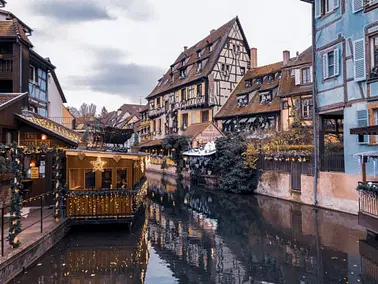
{"x": 368, "y": 205}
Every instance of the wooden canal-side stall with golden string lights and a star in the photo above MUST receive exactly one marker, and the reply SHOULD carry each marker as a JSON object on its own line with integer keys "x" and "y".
{"x": 105, "y": 186}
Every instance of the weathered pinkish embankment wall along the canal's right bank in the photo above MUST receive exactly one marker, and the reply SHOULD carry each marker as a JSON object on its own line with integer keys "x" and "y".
{"x": 336, "y": 191}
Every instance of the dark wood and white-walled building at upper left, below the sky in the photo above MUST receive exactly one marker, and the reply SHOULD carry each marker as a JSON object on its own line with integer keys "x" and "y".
{"x": 23, "y": 70}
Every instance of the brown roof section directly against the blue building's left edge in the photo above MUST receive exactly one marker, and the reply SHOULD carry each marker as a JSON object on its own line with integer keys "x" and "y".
{"x": 287, "y": 83}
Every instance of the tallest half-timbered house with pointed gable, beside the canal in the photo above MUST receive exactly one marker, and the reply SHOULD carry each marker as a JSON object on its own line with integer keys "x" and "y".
{"x": 199, "y": 81}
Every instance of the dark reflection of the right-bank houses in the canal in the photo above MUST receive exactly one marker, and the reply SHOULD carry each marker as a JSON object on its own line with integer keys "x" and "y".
{"x": 209, "y": 237}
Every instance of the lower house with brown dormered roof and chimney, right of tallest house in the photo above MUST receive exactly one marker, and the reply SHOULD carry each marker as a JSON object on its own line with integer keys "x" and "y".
{"x": 254, "y": 105}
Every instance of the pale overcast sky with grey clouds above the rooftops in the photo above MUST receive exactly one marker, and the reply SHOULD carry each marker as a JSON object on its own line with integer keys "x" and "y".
{"x": 112, "y": 52}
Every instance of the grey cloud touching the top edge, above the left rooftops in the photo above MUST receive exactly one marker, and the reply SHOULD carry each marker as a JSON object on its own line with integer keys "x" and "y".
{"x": 73, "y": 11}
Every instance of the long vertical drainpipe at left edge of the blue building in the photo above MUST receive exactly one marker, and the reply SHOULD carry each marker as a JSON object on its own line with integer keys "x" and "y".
{"x": 314, "y": 109}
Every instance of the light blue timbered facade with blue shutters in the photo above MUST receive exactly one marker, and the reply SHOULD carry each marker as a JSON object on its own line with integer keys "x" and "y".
{"x": 346, "y": 41}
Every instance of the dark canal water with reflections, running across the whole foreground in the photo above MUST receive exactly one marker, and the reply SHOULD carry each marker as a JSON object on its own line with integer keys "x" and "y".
{"x": 192, "y": 235}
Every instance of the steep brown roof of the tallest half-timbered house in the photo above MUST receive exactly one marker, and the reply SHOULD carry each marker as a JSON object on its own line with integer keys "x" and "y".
{"x": 216, "y": 39}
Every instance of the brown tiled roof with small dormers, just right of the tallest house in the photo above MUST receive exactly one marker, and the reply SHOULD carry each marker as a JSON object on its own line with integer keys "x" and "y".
{"x": 231, "y": 108}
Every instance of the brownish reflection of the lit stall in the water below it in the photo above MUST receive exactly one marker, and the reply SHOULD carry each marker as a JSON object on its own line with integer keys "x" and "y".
{"x": 88, "y": 256}
